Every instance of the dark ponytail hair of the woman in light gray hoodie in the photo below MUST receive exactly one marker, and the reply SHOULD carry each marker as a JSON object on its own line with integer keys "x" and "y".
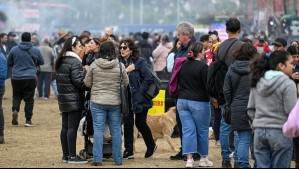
{"x": 263, "y": 63}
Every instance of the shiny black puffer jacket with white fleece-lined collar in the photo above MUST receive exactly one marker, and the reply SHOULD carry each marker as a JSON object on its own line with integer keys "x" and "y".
{"x": 70, "y": 85}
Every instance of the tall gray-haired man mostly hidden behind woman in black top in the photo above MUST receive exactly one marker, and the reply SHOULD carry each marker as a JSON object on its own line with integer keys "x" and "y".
{"x": 185, "y": 34}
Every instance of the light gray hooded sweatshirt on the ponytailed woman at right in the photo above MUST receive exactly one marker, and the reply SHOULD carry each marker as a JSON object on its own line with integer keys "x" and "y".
{"x": 272, "y": 100}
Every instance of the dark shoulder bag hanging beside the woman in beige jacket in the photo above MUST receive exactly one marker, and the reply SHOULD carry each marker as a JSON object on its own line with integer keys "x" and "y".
{"x": 123, "y": 94}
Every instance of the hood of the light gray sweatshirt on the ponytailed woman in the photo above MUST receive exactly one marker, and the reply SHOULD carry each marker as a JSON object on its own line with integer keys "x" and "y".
{"x": 270, "y": 82}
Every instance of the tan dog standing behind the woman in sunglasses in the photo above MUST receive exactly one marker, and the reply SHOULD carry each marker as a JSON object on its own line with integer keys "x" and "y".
{"x": 161, "y": 127}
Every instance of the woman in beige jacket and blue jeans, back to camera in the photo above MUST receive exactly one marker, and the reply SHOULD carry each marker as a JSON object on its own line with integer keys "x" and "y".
{"x": 103, "y": 78}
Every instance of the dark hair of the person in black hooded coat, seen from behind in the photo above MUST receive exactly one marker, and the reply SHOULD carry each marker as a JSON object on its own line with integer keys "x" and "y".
{"x": 245, "y": 52}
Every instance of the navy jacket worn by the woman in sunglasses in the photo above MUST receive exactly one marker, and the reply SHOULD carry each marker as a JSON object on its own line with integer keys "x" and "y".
{"x": 139, "y": 80}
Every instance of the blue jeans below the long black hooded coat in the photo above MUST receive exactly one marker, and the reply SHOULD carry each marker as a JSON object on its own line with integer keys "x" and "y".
{"x": 242, "y": 144}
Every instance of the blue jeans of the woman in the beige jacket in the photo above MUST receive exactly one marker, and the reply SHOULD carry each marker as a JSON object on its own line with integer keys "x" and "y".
{"x": 99, "y": 115}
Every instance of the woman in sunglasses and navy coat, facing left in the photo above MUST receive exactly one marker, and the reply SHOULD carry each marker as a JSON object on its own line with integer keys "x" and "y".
{"x": 140, "y": 79}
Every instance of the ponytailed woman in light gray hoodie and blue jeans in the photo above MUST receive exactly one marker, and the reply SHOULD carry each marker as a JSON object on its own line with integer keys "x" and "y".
{"x": 272, "y": 97}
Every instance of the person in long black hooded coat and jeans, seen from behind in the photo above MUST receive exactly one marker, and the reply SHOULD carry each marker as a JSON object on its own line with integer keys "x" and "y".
{"x": 236, "y": 92}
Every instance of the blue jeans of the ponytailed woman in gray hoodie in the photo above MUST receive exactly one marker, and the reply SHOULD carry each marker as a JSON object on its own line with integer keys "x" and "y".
{"x": 272, "y": 149}
